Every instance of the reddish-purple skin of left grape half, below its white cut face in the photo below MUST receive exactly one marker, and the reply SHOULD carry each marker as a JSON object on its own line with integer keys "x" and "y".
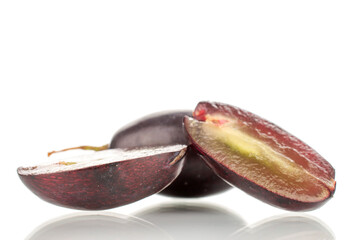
{"x": 106, "y": 185}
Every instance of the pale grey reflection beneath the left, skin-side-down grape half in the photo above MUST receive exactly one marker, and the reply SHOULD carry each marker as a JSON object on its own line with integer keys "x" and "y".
{"x": 107, "y": 226}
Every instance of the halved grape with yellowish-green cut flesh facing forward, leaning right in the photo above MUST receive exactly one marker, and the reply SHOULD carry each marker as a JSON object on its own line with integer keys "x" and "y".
{"x": 260, "y": 158}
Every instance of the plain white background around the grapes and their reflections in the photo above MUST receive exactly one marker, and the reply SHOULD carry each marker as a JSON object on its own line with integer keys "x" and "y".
{"x": 73, "y": 72}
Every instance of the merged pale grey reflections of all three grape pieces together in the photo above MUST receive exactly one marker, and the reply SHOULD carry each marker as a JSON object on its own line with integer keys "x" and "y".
{"x": 180, "y": 222}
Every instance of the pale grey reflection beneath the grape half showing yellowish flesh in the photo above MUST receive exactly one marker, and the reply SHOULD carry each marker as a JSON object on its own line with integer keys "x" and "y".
{"x": 286, "y": 228}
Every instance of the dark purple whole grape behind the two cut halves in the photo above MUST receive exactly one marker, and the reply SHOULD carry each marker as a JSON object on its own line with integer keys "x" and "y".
{"x": 166, "y": 128}
